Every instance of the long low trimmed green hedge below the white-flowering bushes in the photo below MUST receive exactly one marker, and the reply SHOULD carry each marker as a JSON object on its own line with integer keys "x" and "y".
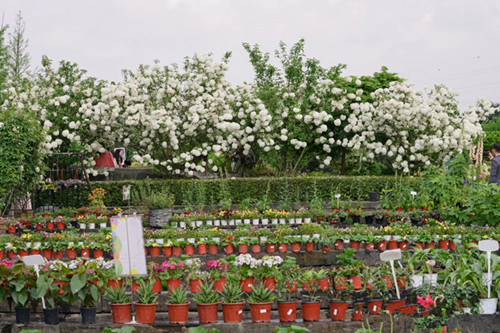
{"x": 286, "y": 189}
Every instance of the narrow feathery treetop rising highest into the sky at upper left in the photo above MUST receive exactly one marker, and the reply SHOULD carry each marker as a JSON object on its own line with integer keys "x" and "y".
{"x": 19, "y": 59}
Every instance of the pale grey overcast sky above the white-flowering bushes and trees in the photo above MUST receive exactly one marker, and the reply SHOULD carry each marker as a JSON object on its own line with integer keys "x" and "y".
{"x": 454, "y": 42}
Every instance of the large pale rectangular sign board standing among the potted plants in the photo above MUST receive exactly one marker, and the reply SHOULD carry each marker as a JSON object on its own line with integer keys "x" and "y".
{"x": 128, "y": 246}
